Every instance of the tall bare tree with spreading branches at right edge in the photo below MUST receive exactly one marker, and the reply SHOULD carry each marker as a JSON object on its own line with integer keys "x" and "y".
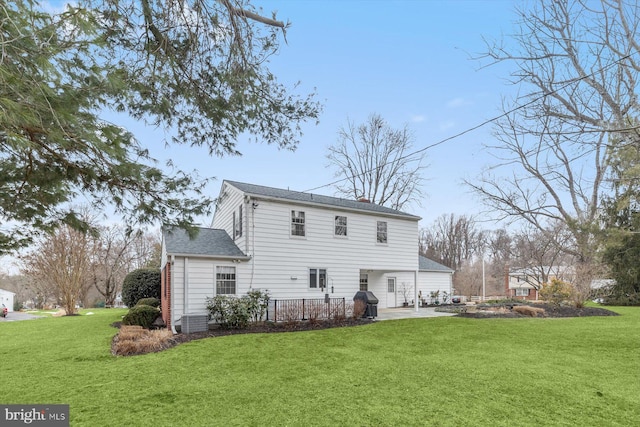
{"x": 580, "y": 63}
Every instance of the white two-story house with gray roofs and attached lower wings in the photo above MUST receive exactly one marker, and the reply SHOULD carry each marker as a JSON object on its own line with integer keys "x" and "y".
{"x": 295, "y": 245}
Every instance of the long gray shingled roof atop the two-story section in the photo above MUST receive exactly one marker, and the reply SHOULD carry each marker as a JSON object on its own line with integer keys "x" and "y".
{"x": 297, "y": 196}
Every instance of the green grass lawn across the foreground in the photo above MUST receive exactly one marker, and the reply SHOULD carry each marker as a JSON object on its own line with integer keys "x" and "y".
{"x": 438, "y": 371}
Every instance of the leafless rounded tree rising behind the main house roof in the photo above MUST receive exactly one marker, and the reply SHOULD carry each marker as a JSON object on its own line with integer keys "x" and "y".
{"x": 376, "y": 163}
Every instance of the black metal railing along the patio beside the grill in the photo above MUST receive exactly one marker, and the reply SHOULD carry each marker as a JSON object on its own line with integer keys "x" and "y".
{"x": 292, "y": 310}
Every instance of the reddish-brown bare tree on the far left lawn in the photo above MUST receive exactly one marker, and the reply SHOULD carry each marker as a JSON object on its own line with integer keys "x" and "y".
{"x": 62, "y": 263}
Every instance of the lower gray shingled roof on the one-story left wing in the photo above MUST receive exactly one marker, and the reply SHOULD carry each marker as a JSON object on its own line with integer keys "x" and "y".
{"x": 208, "y": 242}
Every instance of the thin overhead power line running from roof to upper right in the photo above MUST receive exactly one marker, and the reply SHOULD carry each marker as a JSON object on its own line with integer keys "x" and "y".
{"x": 484, "y": 123}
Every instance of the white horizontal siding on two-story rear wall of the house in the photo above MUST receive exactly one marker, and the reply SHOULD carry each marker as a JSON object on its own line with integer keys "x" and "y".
{"x": 281, "y": 263}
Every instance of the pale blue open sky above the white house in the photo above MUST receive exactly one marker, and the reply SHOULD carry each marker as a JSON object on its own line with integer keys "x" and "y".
{"x": 408, "y": 61}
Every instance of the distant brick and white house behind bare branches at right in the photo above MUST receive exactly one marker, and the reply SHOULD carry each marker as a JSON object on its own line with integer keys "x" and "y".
{"x": 525, "y": 283}
